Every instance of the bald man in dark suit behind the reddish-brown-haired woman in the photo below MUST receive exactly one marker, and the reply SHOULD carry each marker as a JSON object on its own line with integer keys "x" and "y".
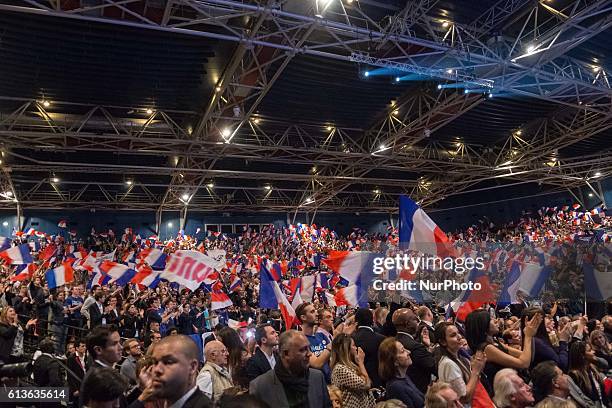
{"x": 423, "y": 362}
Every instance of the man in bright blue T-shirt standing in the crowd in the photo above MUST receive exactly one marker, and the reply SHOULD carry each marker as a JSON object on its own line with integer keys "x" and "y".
{"x": 319, "y": 345}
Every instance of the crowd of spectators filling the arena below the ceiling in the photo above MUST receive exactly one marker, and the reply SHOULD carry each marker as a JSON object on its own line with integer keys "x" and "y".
{"x": 166, "y": 346}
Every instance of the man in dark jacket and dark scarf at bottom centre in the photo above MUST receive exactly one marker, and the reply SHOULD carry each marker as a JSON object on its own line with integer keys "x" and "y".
{"x": 292, "y": 382}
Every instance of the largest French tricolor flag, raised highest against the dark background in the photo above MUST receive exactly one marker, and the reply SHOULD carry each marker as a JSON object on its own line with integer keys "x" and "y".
{"x": 418, "y": 232}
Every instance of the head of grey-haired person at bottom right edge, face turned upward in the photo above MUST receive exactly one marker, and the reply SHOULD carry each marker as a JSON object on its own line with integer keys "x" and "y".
{"x": 511, "y": 391}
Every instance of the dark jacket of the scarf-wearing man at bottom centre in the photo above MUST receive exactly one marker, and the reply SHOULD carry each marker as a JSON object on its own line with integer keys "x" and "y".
{"x": 268, "y": 388}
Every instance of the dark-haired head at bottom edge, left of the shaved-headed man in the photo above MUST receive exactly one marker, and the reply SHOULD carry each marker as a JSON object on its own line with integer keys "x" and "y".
{"x": 102, "y": 387}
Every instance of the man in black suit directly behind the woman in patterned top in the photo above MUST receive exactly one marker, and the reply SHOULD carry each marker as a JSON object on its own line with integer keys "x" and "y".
{"x": 369, "y": 341}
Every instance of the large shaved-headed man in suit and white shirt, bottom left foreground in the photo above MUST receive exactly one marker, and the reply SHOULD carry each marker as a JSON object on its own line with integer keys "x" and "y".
{"x": 172, "y": 378}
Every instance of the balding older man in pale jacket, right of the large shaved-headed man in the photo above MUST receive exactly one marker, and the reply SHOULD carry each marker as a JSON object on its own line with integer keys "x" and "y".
{"x": 214, "y": 378}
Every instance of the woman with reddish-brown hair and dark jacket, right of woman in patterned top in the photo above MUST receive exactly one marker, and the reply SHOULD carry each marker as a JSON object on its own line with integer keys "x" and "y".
{"x": 394, "y": 360}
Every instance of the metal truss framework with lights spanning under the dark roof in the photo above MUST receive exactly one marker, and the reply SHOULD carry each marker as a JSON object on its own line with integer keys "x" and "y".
{"x": 331, "y": 168}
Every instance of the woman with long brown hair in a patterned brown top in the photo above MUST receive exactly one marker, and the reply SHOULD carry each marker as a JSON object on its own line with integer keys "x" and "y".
{"x": 349, "y": 373}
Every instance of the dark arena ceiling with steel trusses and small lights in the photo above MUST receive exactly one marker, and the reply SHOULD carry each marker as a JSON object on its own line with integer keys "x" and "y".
{"x": 299, "y": 105}
